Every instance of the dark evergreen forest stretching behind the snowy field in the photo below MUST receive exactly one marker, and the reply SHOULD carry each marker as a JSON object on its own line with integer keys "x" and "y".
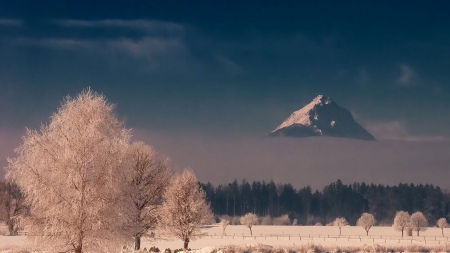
{"x": 335, "y": 200}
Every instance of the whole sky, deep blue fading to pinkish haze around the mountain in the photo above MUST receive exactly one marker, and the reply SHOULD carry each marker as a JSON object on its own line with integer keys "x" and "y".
{"x": 203, "y": 82}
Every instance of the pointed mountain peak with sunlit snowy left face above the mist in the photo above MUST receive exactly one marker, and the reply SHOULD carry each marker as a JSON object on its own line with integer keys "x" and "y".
{"x": 322, "y": 117}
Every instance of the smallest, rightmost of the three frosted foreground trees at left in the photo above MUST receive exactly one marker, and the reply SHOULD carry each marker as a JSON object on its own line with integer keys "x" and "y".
{"x": 184, "y": 208}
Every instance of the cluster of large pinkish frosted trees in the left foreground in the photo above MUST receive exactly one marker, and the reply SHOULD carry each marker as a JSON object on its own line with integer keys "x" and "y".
{"x": 84, "y": 186}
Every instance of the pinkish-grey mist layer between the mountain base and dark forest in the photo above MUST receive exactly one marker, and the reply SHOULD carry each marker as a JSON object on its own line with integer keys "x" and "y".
{"x": 314, "y": 161}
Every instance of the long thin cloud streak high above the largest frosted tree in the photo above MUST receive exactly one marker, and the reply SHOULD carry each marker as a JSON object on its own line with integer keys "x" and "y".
{"x": 137, "y": 24}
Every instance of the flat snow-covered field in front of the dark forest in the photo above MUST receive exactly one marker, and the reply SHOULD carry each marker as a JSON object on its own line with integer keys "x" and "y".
{"x": 287, "y": 235}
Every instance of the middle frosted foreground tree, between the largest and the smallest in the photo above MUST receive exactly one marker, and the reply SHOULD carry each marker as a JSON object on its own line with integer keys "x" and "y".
{"x": 148, "y": 178}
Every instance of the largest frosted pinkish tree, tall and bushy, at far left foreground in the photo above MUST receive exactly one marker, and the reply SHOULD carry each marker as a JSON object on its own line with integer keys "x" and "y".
{"x": 72, "y": 174}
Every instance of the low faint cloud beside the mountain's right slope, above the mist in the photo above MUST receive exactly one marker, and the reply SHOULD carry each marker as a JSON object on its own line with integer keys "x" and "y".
{"x": 397, "y": 130}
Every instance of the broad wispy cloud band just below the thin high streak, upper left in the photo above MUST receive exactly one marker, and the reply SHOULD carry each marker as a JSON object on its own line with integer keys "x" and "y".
{"x": 154, "y": 54}
